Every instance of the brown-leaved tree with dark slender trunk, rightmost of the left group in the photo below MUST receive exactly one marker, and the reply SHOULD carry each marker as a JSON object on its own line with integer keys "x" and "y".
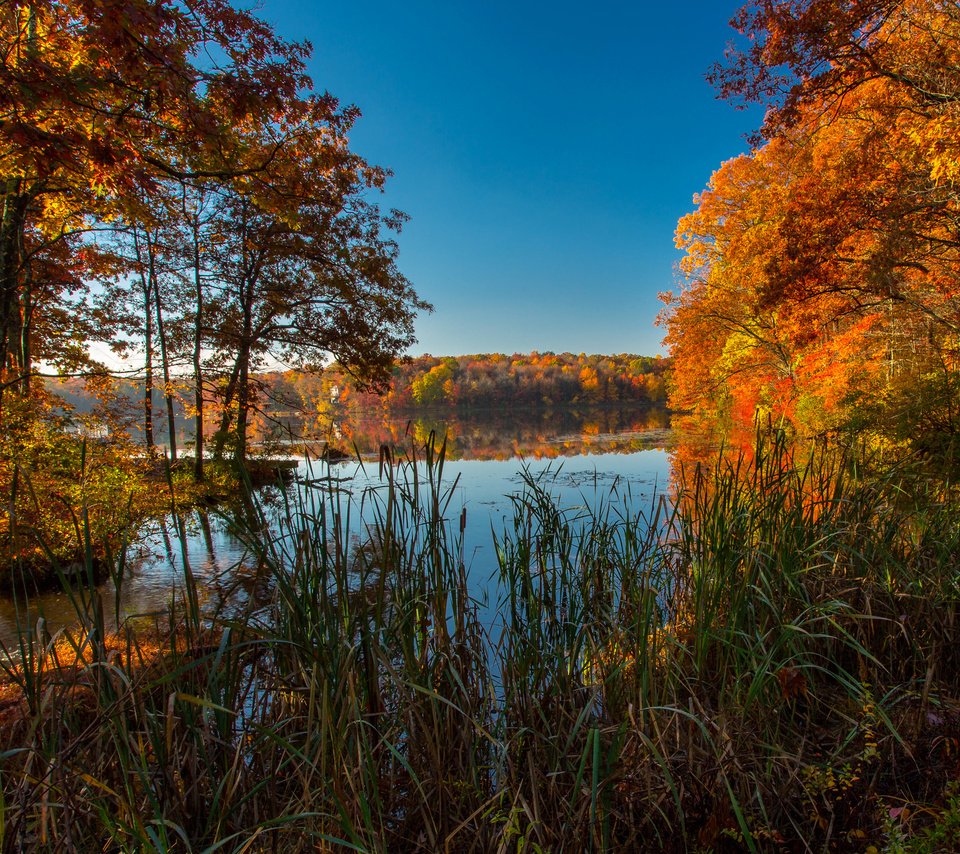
{"x": 304, "y": 267}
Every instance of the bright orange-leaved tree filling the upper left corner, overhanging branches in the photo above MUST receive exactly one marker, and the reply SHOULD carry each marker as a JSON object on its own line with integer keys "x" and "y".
{"x": 95, "y": 101}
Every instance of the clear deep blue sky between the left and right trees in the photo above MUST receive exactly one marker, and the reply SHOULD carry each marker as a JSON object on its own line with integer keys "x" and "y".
{"x": 543, "y": 150}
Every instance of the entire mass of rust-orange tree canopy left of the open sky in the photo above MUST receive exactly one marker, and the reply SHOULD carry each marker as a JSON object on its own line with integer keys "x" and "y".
{"x": 168, "y": 171}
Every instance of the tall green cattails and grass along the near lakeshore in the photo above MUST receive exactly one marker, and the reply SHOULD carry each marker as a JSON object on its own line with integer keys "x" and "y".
{"x": 768, "y": 663}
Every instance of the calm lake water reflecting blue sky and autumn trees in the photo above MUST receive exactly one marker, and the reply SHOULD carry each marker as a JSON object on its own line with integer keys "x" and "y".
{"x": 619, "y": 458}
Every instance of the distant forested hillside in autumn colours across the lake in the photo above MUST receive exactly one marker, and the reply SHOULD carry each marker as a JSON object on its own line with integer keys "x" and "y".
{"x": 483, "y": 383}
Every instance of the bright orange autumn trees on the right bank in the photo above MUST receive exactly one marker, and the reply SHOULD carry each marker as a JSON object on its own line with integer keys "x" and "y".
{"x": 822, "y": 269}
